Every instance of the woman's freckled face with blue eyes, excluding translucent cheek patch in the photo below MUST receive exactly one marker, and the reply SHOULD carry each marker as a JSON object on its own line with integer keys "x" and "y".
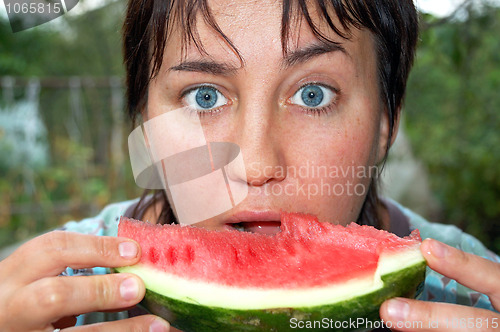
{"x": 310, "y": 124}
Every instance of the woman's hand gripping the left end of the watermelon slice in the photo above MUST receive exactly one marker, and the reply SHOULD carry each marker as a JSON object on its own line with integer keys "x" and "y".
{"x": 34, "y": 298}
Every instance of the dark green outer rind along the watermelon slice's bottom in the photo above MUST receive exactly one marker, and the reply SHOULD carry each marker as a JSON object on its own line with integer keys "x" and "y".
{"x": 197, "y": 318}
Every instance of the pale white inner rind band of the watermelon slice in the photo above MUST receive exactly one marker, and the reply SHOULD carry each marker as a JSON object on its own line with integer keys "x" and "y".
{"x": 211, "y": 294}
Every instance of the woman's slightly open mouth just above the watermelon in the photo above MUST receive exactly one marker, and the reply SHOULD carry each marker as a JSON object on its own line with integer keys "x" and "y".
{"x": 261, "y": 222}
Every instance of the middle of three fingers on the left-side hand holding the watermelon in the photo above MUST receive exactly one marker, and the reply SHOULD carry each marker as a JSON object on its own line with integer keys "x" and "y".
{"x": 49, "y": 299}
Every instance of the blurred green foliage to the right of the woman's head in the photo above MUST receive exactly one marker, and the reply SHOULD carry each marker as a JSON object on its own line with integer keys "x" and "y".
{"x": 453, "y": 118}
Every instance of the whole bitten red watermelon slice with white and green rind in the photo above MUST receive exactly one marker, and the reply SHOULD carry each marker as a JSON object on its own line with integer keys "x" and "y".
{"x": 202, "y": 280}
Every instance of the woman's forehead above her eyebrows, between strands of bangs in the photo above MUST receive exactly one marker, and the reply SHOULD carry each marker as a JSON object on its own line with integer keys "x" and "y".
{"x": 255, "y": 29}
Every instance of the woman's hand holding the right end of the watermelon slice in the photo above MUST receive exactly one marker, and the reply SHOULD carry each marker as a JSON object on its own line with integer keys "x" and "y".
{"x": 469, "y": 270}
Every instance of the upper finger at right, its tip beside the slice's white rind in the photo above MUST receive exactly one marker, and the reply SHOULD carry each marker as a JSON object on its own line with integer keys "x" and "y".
{"x": 469, "y": 270}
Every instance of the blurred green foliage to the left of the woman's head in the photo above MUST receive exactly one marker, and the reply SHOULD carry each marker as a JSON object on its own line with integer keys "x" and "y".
{"x": 84, "y": 171}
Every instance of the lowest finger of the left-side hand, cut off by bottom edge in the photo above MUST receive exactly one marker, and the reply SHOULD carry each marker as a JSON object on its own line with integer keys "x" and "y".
{"x": 147, "y": 323}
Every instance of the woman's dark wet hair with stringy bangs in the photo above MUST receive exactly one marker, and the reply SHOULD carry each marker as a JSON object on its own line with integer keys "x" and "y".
{"x": 393, "y": 23}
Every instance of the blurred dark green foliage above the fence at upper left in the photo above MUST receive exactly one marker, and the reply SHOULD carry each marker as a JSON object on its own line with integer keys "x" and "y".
{"x": 82, "y": 45}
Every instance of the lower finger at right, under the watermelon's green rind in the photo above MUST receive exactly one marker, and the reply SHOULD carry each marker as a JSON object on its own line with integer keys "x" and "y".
{"x": 411, "y": 315}
